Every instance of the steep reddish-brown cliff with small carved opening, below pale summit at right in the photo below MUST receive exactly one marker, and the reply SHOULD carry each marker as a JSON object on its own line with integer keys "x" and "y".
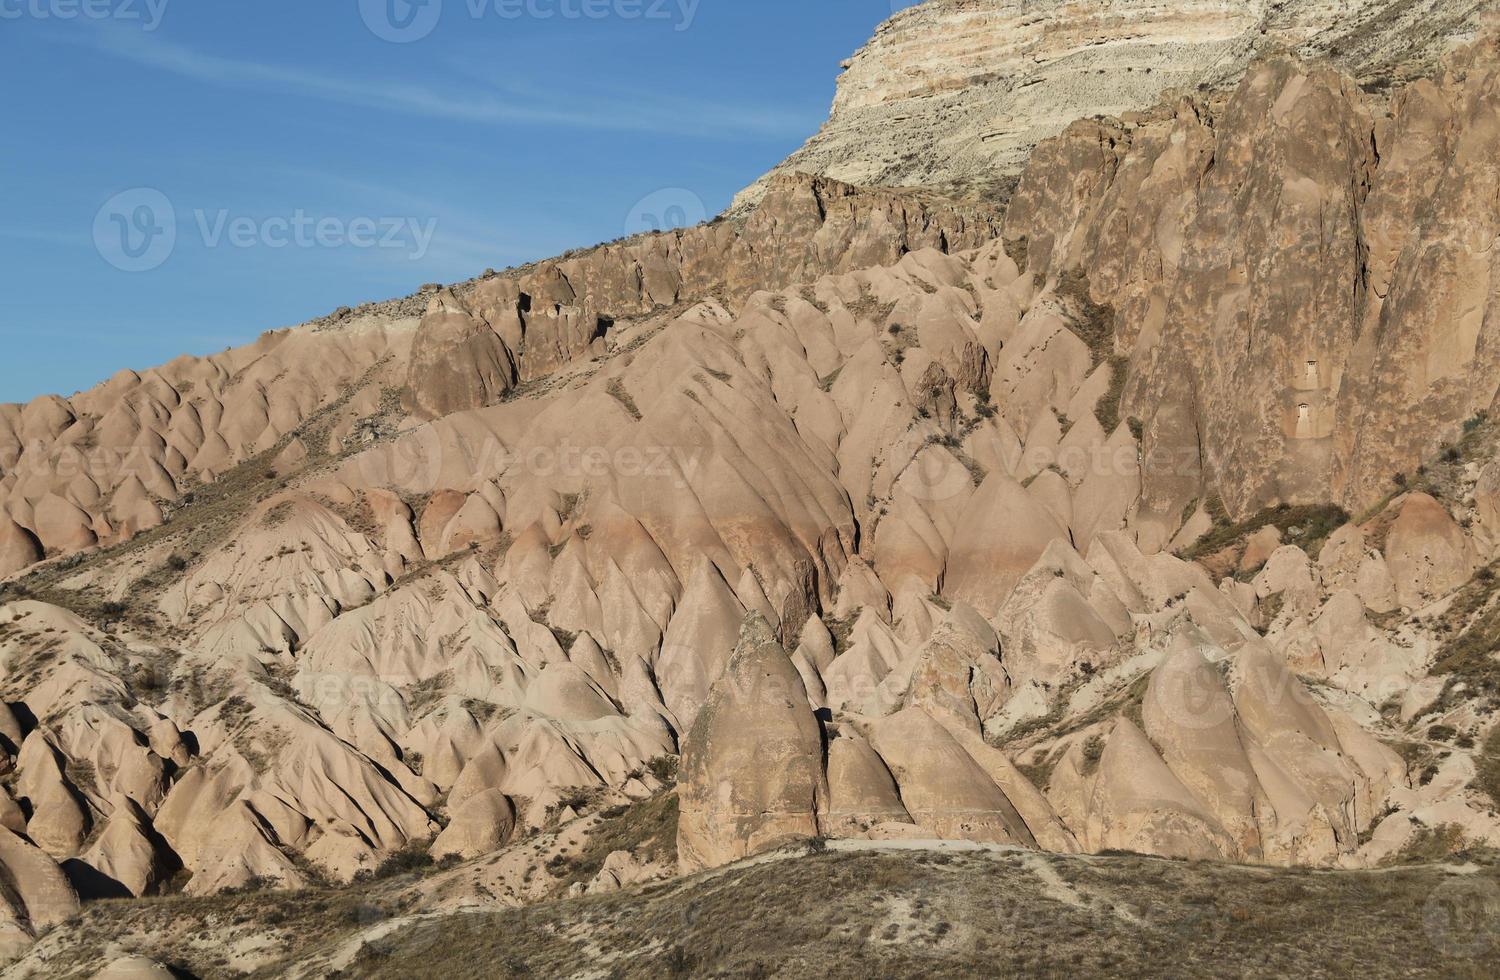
{"x": 1300, "y": 278}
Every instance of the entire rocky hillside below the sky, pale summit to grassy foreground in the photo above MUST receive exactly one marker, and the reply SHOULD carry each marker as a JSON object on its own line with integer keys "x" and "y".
{"x": 1138, "y": 526}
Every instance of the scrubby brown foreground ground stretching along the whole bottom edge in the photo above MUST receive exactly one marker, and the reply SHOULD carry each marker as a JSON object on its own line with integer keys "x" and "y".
{"x": 851, "y": 910}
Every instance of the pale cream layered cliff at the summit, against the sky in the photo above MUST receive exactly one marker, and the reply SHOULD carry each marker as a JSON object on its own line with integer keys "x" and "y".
{"x": 955, "y": 94}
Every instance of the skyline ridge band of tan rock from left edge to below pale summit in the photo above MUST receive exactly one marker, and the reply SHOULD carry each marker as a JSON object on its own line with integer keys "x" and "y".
{"x": 115, "y": 461}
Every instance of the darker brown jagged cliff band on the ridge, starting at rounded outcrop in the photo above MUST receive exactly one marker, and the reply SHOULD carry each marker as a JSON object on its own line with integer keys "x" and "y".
{"x": 473, "y": 346}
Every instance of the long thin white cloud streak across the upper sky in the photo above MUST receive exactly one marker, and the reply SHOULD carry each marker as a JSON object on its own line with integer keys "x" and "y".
{"x": 476, "y": 101}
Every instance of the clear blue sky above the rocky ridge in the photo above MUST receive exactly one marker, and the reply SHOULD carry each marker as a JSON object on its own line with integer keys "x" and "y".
{"x": 314, "y": 154}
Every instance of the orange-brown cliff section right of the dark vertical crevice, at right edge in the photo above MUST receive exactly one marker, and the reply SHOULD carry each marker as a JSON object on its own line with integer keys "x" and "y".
{"x": 1426, "y": 358}
